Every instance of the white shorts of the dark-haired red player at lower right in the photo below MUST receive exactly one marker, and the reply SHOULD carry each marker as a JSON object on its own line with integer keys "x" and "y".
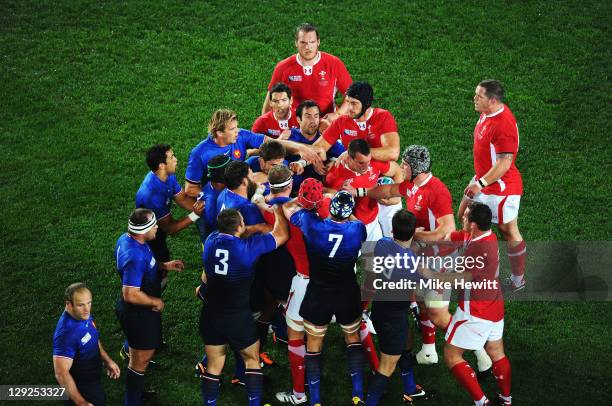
{"x": 471, "y": 333}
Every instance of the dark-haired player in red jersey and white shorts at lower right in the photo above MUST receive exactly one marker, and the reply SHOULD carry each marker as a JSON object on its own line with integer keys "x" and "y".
{"x": 479, "y": 318}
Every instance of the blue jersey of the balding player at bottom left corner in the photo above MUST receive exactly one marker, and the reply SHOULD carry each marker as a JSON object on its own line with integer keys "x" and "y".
{"x": 78, "y": 340}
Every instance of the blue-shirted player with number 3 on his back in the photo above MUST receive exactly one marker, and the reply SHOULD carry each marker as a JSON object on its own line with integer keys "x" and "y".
{"x": 226, "y": 317}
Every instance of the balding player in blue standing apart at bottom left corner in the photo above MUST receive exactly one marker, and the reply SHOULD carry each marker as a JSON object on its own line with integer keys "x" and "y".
{"x": 77, "y": 351}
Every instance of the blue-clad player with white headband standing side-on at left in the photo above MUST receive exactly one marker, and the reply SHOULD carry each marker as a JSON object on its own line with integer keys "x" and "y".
{"x": 139, "y": 306}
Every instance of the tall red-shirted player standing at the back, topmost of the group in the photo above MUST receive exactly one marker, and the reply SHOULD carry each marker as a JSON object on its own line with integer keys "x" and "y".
{"x": 311, "y": 74}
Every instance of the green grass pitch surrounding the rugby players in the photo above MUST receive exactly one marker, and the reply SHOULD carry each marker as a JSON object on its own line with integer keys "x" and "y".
{"x": 88, "y": 86}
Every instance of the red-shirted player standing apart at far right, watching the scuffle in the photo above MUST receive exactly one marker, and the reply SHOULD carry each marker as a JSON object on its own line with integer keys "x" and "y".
{"x": 497, "y": 182}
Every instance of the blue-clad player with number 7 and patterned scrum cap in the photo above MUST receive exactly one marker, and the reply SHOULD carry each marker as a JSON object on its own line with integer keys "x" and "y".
{"x": 333, "y": 246}
